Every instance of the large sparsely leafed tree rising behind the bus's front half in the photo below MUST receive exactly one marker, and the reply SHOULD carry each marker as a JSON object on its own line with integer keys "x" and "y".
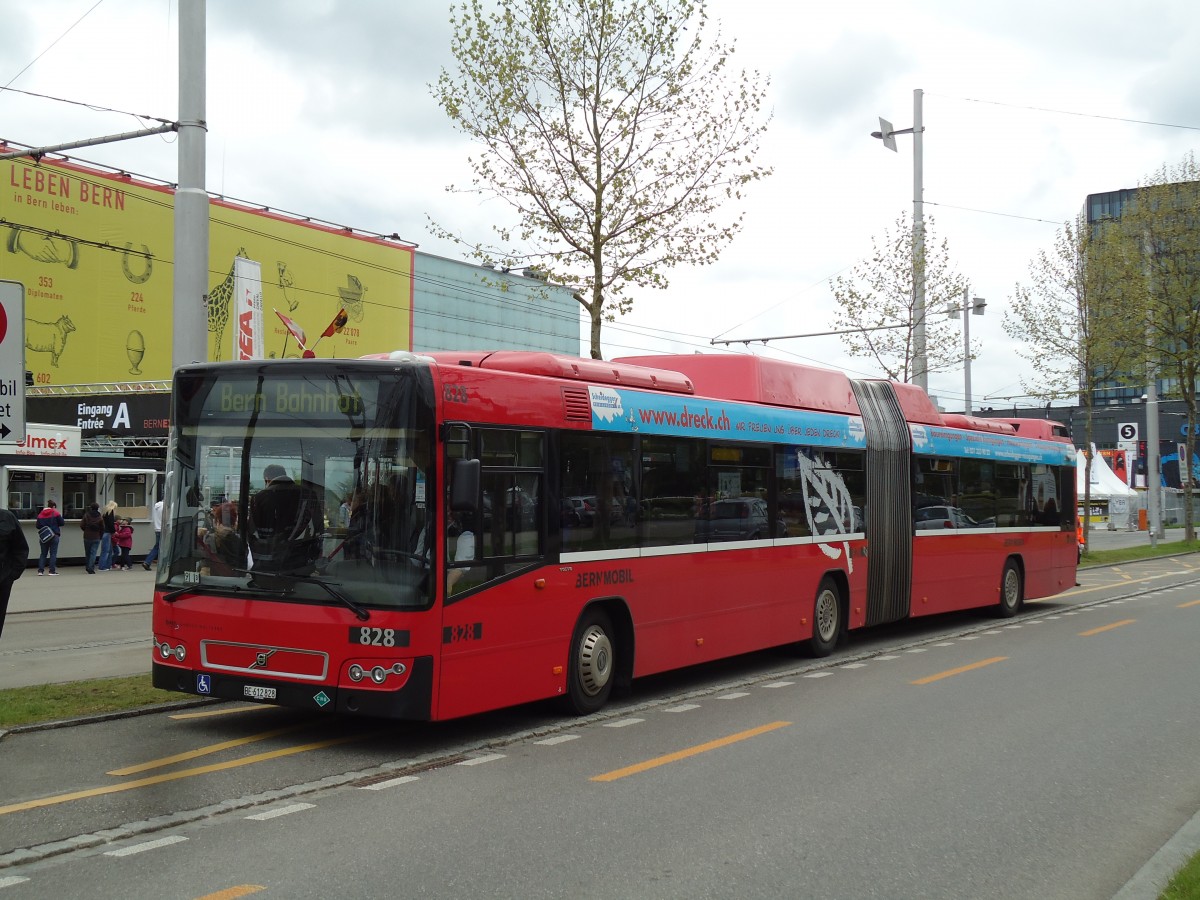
{"x": 614, "y": 129}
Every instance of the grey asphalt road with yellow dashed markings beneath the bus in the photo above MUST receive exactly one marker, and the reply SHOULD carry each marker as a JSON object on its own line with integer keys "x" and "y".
{"x": 957, "y": 758}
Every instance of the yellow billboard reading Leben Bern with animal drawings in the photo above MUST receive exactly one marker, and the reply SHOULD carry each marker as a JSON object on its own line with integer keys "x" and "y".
{"x": 94, "y": 251}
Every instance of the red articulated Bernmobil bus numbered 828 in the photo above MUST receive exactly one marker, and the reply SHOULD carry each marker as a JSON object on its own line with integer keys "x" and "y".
{"x": 429, "y": 537}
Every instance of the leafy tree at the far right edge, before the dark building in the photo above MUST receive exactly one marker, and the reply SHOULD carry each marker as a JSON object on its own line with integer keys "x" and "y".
{"x": 1163, "y": 223}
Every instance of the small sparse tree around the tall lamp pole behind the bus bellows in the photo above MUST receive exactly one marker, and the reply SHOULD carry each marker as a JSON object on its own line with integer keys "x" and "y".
{"x": 877, "y": 303}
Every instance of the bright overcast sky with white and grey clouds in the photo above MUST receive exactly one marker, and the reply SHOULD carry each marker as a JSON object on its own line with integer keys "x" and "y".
{"x": 323, "y": 109}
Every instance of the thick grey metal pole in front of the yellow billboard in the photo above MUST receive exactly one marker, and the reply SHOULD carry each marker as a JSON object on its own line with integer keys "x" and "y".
{"x": 189, "y": 310}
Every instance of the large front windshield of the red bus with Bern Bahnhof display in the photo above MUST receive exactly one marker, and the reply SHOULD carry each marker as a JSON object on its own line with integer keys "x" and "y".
{"x": 308, "y": 484}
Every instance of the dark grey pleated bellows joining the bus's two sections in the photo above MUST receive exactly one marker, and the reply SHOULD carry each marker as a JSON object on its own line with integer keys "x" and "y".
{"x": 889, "y": 503}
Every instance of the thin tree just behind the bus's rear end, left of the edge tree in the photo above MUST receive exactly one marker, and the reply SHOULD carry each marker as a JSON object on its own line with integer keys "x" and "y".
{"x": 1075, "y": 325}
